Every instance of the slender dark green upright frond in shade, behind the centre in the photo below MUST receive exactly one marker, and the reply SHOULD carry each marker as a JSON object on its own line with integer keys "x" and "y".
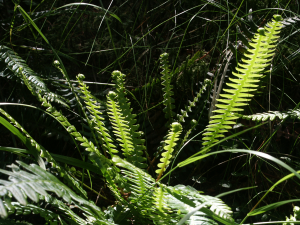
{"x": 166, "y": 77}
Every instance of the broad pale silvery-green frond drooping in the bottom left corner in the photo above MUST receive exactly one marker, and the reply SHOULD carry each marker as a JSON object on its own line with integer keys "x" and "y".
{"x": 35, "y": 184}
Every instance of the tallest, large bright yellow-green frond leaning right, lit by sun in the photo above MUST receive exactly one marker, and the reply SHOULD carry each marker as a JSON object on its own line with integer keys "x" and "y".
{"x": 248, "y": 73}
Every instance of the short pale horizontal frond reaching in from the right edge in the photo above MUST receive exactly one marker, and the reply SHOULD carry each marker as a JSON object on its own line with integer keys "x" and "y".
{"x": 271, "y": 115}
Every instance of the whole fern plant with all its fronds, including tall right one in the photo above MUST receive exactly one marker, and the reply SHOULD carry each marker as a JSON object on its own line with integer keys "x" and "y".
{"x": 139, "y": 197}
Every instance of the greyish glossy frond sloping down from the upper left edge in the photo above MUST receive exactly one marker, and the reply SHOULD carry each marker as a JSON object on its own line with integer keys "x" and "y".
{"x": 13, "y": 63}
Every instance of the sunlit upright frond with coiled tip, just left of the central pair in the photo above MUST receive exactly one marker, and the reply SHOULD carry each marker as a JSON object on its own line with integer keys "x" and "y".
{"x": 97, "y": 117}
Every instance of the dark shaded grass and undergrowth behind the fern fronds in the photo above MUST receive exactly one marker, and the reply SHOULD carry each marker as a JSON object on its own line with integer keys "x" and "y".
{"x": 130, "y": 37}
